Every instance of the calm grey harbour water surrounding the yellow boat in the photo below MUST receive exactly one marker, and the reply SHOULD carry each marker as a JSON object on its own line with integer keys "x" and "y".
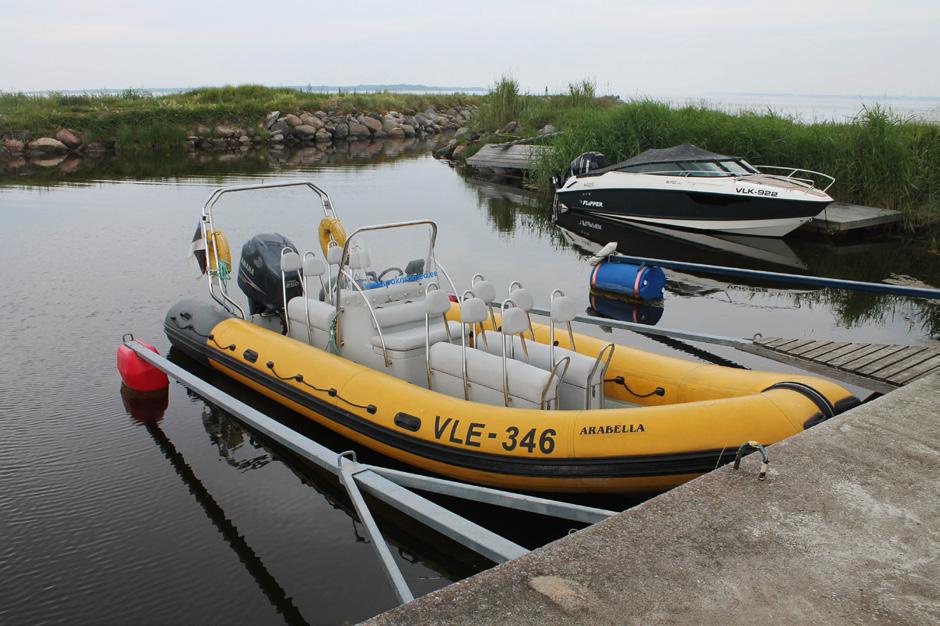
{"x": 108, "y": 519}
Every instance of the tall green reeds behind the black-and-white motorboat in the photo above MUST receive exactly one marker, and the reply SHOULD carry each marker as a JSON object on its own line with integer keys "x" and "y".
{"x": 878, "y": 158}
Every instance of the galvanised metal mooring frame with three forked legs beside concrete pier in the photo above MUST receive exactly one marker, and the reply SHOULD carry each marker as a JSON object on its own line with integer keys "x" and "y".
{"x": 392, "y": 487}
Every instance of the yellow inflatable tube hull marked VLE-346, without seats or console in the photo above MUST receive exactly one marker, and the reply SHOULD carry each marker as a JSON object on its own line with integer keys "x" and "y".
{"x": 706, "y": 413}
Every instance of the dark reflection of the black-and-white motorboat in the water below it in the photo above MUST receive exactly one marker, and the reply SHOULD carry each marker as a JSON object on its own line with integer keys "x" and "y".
{"x": 590, "y": 233}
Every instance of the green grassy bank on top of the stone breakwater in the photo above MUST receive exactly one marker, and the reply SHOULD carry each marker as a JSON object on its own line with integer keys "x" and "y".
{"x": 138, "y": 119}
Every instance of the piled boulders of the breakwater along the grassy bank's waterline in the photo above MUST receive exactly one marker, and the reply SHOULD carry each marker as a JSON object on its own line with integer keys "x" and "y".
{"x": 277, "y": 130}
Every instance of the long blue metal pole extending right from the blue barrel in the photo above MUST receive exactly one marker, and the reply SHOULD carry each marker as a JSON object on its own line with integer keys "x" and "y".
{"x": 814, "y": 281}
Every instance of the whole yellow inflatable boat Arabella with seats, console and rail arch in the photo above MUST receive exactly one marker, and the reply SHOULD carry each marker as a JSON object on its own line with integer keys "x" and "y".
{"x": 468, "y": 386}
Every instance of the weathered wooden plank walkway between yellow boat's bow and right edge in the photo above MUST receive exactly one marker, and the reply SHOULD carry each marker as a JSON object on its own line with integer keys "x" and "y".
{"x": 882, "y": 367}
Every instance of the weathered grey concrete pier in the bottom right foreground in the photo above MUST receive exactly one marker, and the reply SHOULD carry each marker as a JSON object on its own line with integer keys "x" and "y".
{"x": 844, "y": 530}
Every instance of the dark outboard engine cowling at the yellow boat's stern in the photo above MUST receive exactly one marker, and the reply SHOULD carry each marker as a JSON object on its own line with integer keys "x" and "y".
{"x": 259, "y": 273}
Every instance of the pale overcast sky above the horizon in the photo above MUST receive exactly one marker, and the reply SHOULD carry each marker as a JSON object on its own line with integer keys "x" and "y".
{"x": 629, "y": 48}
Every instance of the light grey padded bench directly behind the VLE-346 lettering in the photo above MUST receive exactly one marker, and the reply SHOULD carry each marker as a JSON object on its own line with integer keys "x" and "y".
{"x": 525, "y": 381}
